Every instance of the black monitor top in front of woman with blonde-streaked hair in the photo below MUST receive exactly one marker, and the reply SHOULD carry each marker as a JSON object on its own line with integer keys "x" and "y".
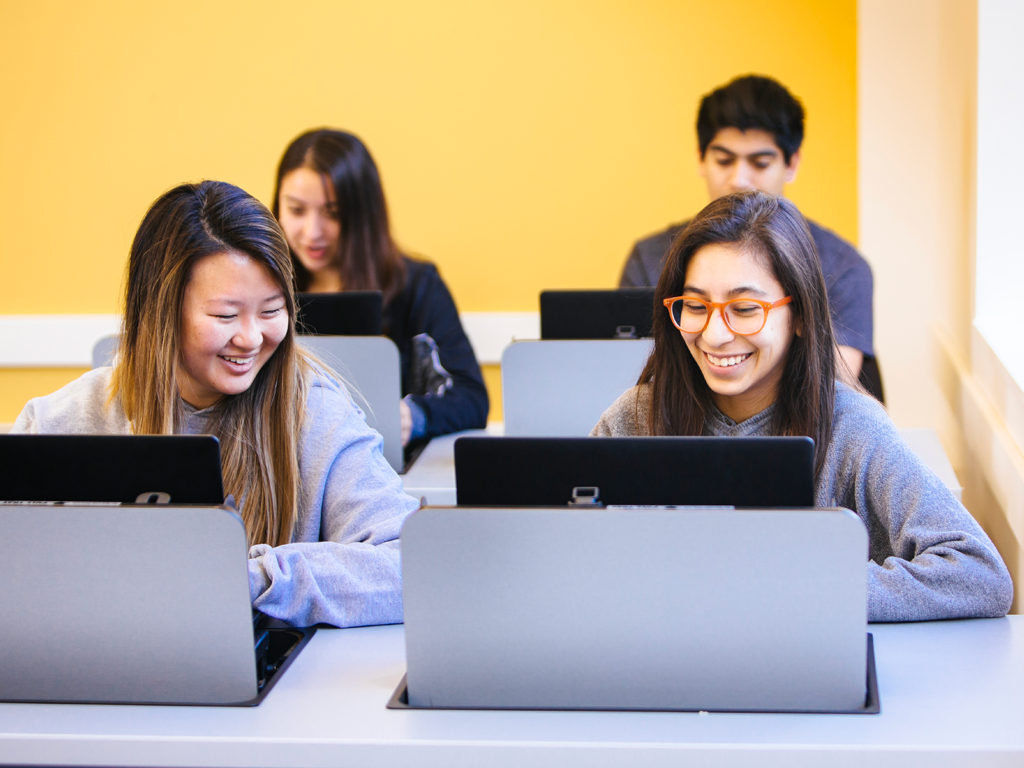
{"x": 110, "y": 468}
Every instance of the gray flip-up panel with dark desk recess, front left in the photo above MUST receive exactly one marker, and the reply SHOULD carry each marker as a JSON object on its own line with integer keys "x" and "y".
{"x": 125, "y": 604}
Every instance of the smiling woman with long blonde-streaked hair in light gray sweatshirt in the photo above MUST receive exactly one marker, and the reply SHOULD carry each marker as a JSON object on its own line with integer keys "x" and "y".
{"x": 208, "y": 347}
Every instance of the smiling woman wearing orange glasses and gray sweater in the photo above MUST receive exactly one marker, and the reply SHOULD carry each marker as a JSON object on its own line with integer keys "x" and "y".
{"x": 745, "y": 348}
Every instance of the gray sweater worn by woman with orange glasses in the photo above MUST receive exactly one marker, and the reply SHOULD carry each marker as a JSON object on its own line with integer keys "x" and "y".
{"x": 929, "y": 558}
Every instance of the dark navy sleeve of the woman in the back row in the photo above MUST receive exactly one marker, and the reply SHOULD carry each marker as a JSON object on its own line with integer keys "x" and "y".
{"x": 465, "y": 405}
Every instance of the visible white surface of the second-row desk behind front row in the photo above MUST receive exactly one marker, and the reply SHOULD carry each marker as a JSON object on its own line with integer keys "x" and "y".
{"x": 433, "y": 476}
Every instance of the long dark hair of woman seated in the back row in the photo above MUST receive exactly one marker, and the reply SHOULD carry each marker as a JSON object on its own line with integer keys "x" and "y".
{"x": 369, "y": 259}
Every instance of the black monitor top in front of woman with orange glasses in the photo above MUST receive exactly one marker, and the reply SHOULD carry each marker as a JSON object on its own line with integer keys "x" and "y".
{"x": 699, "y": 472}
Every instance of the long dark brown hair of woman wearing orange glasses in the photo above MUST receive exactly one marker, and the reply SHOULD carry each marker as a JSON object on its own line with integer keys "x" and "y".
{"x": 772, "y": 230}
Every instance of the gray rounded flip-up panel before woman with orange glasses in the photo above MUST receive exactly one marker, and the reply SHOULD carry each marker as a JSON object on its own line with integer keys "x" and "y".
{"x": 715, "y": 610}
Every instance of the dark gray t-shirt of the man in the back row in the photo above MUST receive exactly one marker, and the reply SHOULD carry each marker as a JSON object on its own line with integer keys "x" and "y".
{"x": 848, "y": 280}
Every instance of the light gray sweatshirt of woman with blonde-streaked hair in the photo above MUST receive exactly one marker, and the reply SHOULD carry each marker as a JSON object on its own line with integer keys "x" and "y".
{"x": 343, "y": 568}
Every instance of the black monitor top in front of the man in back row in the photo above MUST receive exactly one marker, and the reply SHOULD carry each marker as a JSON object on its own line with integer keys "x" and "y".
{"x": 622, "y": 314}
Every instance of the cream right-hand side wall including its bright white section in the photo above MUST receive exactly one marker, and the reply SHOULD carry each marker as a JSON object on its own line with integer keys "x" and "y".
{"x": 931, "y": 127}
